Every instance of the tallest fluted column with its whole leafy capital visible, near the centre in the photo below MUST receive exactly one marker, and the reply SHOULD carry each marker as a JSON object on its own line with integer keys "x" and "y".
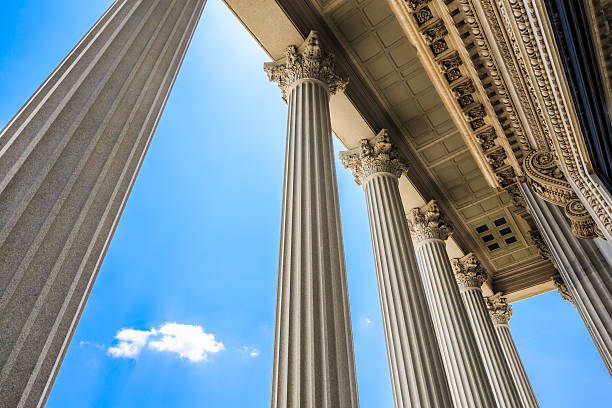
{"x": 313, "y": 347}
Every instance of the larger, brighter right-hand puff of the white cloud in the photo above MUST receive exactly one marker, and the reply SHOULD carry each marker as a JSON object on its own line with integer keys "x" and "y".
{"x": 188, "y": 341}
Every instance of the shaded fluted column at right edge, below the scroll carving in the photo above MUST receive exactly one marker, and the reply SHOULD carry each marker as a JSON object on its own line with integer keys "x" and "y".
{"x": 584, "y": 266}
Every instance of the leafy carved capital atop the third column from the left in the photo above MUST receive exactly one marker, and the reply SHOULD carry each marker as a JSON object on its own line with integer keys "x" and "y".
{"x": 375, "y": 156}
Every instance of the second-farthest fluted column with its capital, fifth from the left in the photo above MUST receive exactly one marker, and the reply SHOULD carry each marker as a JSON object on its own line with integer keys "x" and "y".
{"x": 470, "y": 276}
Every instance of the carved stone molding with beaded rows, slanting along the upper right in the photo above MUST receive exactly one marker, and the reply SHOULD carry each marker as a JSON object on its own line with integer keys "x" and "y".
{"x": 527, "y": 32}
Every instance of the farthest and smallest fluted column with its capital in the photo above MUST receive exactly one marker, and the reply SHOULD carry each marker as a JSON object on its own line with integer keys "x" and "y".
{"x": 500, "y": 312}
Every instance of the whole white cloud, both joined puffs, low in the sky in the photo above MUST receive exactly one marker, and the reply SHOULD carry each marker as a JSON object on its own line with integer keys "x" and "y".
{"x": 187, "y": 340}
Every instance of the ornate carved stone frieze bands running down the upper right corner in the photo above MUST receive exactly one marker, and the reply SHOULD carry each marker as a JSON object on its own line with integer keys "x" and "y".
{"x": 549, "y": 93}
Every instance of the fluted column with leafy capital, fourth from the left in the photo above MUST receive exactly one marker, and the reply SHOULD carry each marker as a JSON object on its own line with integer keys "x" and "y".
{"x": 465, "y": 370}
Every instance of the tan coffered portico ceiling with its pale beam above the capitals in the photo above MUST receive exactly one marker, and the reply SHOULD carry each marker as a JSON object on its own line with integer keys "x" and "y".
{"x": 390, "y": 88}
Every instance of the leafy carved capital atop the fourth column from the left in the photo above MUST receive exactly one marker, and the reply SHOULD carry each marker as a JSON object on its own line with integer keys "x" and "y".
{"x": 427, "y": 222}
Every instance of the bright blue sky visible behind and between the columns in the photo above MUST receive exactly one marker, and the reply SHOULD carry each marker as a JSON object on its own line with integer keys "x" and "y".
{"x": 195, "y": 254}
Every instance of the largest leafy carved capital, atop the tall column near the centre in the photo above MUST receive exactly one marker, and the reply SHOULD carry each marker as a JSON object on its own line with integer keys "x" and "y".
{"x": 308, "y": 61}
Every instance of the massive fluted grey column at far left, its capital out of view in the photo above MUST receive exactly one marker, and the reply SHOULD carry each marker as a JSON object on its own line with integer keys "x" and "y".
{"x": 68, "y": 160}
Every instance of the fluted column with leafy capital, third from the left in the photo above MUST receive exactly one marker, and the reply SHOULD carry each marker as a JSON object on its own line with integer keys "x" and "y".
{"x": 415, "y": 364}
